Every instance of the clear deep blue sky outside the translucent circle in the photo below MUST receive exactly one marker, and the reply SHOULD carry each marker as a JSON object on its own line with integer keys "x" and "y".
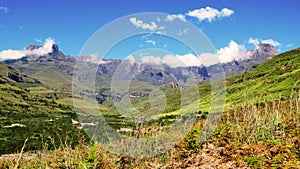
{"x": 71, "y": 23}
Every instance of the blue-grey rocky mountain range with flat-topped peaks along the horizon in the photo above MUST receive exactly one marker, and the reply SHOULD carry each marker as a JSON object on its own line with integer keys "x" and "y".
{"x": 56, "y": 69}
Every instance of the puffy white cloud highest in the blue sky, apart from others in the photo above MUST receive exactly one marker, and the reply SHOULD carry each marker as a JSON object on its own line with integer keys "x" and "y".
{"x": 210, "y": 14}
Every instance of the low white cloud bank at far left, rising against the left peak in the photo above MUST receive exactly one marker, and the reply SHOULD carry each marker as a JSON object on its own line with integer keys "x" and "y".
{"x": 16, "y": 54}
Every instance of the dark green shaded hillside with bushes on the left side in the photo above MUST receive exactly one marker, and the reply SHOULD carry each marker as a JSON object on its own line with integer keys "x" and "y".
{"x": 29, "y": 111}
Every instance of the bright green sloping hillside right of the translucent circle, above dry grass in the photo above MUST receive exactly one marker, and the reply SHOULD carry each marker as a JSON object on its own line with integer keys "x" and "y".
{"x": 274, "y": 80}
